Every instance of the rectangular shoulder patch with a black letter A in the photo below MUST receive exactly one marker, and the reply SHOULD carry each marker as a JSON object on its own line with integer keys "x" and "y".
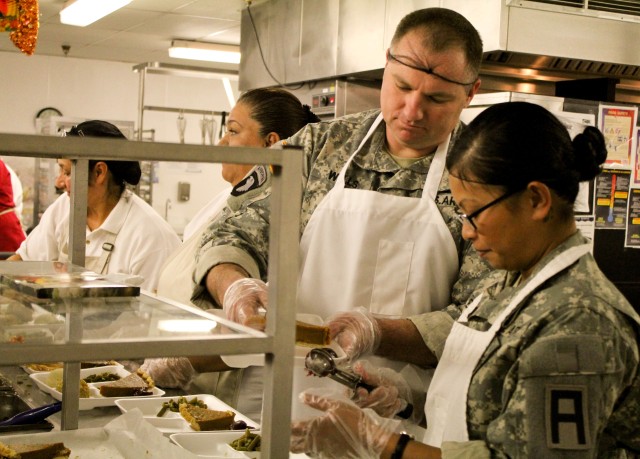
{"x": 567, "y": 417}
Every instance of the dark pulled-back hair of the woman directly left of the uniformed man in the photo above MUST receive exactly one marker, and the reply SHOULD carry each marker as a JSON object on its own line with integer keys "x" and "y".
{"x": 277, "y": 110}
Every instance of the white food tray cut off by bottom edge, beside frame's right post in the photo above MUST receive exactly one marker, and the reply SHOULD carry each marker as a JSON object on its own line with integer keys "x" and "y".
{"x": 212, "y": 444}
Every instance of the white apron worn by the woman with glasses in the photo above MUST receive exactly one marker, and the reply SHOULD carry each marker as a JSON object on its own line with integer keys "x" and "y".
{"x": 446, "y": 406}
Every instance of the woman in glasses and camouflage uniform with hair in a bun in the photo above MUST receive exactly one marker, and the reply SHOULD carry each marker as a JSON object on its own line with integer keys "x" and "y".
{"x": 543, "y": 362}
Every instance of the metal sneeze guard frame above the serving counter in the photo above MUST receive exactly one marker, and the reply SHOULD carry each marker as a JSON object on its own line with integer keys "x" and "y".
{"x": 279, "y": 343}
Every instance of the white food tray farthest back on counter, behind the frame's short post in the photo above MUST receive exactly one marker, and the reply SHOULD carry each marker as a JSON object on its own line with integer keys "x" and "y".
{"x": 95, "y": 399}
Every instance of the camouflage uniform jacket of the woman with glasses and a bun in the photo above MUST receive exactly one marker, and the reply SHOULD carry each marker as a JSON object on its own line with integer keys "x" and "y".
{"x": 566, "y": 341}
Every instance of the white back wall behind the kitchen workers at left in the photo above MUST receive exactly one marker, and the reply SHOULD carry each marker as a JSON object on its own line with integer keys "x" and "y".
{"x": 91, "y": 89}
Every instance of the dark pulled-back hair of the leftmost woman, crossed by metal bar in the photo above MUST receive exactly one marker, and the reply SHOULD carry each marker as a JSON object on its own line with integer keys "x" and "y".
{"x": 123, "y": 172}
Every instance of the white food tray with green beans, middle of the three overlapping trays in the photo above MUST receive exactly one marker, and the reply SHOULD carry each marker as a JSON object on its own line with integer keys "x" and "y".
{"x": 173, "y": 422}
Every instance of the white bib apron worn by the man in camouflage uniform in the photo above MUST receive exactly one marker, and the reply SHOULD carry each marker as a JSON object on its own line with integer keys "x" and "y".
{"x": 393, "y": 255}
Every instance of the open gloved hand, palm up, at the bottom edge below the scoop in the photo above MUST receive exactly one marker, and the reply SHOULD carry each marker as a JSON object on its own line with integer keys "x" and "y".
{"x": 343, "y": 431}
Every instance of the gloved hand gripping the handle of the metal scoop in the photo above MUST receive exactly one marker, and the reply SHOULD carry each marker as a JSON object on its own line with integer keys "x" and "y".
{"x": 392, "y": 394}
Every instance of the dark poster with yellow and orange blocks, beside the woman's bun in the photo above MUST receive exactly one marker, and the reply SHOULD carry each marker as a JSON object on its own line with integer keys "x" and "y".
{"x": 611, "y": 195}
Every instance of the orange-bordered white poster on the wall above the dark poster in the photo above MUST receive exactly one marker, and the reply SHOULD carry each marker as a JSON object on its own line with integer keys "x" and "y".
{"x": 617, "y": 123}
